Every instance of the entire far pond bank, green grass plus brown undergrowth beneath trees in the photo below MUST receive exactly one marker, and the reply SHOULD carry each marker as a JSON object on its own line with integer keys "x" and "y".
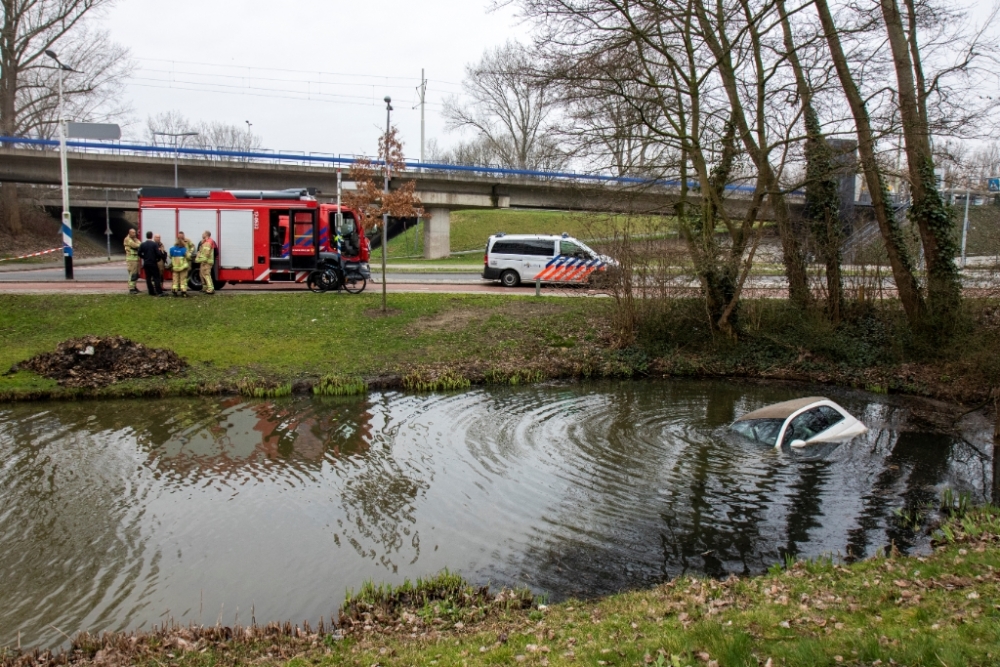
{"x": 273, "y": 344}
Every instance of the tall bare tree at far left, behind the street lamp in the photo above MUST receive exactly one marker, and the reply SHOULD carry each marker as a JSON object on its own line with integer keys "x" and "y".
{"x": 28, "y": 94}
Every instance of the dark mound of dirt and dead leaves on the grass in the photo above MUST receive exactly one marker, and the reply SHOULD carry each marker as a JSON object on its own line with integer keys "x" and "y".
{"x": 97, "y": 362}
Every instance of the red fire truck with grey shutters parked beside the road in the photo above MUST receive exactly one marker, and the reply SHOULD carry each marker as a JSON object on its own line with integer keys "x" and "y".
{"x": 261, "y": 236}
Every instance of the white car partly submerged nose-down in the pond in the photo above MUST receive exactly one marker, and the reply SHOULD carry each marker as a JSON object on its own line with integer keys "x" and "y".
{"x": 800, "y": 422}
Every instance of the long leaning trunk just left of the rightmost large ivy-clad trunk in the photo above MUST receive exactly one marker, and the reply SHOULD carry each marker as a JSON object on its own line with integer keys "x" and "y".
{"x": 892, "y": 235}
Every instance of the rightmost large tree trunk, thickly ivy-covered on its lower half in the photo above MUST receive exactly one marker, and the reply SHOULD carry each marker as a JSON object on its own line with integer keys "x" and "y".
{"x": 928, "y": 211}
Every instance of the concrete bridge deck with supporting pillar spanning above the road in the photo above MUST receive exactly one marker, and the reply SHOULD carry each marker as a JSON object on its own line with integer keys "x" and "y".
{"x": 94, "y": 175}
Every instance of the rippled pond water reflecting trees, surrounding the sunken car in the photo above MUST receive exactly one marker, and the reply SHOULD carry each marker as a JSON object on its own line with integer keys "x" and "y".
{"x": 122, "y": 515}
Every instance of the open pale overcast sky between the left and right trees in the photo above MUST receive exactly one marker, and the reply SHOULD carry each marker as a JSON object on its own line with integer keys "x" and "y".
{"x": 310, "y": 75}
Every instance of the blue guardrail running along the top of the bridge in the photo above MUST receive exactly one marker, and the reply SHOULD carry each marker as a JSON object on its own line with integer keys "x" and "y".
{"x": 319, "y": 159}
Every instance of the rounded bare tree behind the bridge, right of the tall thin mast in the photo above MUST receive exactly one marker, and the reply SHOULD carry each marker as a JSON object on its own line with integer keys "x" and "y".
{"x": 508, "y": 110}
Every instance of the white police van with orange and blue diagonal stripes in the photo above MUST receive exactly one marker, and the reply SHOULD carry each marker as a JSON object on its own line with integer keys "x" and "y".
{"x": 512, "y": 258}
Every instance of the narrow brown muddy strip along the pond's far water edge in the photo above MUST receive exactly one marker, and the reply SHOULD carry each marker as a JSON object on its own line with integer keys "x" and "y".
{"x": 943, "y": 382}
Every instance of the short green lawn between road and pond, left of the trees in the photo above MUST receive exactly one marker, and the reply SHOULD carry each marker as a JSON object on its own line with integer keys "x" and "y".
{"x": 281, "y": 338}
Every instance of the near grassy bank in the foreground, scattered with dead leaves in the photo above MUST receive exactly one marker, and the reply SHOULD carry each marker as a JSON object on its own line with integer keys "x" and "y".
{"x": 939, "y": 609}
